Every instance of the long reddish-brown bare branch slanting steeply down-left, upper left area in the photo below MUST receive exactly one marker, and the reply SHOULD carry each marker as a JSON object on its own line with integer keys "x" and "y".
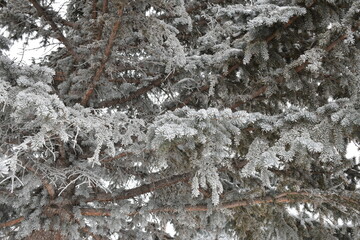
{"x": 107, "y": 53}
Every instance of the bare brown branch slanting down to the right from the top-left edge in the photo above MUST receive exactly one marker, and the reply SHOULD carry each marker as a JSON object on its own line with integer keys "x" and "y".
{"x": 41, "y": 11}
